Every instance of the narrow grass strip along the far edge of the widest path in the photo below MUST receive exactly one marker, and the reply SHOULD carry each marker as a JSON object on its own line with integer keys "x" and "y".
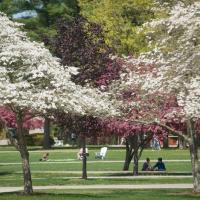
{"x": 58, "y": 179}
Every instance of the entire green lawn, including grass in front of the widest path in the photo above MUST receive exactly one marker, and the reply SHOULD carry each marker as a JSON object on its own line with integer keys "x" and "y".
{"x": 63, "y": 165}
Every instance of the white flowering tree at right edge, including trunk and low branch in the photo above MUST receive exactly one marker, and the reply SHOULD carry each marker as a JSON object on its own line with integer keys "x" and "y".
{"x": 175, "y": 43}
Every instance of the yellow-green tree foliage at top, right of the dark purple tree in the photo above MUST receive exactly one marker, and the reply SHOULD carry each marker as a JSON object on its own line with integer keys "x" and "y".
{"x": 120, "y": 21}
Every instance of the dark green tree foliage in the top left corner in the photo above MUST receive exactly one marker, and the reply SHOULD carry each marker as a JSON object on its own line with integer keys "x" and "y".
{"x": 48, "y": 11}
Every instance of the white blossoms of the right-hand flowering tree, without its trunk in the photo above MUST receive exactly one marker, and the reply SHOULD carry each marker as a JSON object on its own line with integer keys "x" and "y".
{"x": 176, "y": 56}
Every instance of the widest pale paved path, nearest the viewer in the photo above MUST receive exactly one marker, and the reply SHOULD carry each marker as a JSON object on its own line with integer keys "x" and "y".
{"x": 83, "y": 187}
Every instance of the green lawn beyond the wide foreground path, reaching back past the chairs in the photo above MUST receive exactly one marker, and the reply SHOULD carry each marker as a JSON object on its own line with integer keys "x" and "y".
{"x": 53, "y": 172}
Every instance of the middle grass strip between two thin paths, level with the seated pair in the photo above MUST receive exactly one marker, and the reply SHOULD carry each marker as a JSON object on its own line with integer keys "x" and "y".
{"x": 91, "y": 166}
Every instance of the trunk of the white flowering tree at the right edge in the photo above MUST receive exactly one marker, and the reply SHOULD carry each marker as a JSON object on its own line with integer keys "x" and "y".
{"x": 194, "y": 156}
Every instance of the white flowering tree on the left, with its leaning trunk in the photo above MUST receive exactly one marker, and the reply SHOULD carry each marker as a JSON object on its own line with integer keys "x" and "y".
{"x": 31, "y": 79}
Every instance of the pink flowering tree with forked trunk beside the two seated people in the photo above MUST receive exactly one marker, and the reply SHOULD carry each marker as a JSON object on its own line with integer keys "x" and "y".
{"x": 137, "y": 108}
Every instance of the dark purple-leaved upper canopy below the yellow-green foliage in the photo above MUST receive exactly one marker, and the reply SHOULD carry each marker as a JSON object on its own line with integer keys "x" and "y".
{"x": 81, "y": 44}
